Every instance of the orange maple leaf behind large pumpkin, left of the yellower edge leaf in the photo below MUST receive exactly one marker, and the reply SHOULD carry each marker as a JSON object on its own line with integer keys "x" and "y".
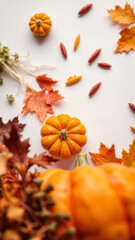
{"x": 105, "y": 155}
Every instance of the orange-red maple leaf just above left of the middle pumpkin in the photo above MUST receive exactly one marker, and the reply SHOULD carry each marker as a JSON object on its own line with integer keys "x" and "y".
{"x": 40, "y": 102}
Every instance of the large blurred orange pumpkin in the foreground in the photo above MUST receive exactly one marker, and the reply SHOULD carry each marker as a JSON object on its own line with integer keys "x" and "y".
{"x": 101, "y": 200}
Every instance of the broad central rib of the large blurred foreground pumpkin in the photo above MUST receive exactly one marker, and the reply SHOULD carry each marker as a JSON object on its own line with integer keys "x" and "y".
{"x": 97, "y": 210}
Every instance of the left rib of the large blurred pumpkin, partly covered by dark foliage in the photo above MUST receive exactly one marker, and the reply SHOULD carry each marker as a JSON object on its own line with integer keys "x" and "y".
{"x": 61, "y": 194}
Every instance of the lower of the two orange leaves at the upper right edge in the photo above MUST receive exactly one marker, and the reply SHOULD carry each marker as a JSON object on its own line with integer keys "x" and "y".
{"x": 127, "y": 40}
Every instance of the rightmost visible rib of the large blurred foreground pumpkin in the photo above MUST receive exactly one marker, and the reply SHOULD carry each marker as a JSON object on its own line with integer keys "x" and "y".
{"x": 124, "y": 191}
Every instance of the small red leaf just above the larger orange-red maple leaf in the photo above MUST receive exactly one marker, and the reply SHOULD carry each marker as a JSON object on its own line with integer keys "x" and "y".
{"x": 45, "y": 82}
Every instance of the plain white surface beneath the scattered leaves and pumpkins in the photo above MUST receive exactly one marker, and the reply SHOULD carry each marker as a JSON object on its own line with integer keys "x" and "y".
{"x": 106, "y": 115}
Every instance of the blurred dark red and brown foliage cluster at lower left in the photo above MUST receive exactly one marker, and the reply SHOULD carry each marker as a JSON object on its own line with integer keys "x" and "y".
{"x": 25, "y": 209}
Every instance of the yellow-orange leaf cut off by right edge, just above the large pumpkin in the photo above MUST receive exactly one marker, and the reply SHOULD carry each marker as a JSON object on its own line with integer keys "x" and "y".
{"x": 129, "y": 158}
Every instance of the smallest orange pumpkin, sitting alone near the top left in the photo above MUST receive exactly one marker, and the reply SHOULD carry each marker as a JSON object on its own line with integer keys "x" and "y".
{"x": 40, "y": 24}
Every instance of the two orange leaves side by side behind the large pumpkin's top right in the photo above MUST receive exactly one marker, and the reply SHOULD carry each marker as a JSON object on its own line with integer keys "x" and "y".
{"x": 107, "y": 155}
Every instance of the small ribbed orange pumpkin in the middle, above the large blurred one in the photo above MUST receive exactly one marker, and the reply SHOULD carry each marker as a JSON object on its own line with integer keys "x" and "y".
{"x": 63, "y": 136}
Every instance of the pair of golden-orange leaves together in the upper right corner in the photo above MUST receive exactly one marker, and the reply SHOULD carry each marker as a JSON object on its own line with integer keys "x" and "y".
{"x": 125, "y": 16}
